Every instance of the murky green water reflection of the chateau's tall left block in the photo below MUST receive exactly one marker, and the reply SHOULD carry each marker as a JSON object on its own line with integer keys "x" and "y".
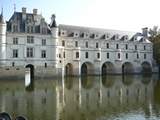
{"x": 38, "y": 104}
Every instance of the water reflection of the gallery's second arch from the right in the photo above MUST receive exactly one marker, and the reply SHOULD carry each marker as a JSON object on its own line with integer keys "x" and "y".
{"x": 127, "y": 79}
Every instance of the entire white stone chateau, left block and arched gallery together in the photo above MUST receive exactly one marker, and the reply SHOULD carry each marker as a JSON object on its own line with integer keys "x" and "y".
{"x": 27, "y": 40}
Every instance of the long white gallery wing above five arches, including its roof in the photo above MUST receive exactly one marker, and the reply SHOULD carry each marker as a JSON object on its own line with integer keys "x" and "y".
{"x": 112, "y": 48}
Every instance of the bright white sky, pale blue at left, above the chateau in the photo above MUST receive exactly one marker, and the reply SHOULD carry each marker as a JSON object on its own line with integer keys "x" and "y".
{"x": 127, "y": 15}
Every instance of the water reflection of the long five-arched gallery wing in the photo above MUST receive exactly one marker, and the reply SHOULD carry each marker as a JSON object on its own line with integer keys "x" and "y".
{"x": 93, "y": 97}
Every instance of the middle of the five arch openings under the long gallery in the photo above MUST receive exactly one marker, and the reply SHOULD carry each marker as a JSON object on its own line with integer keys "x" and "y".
{"x": 107, "y": 68}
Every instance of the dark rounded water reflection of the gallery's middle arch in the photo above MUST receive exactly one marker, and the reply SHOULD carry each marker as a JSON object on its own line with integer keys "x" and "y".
{"x": 108, "y": 81}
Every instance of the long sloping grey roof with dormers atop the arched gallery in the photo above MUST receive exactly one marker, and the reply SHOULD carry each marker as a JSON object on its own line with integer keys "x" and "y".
{"x": 121, "y": 34}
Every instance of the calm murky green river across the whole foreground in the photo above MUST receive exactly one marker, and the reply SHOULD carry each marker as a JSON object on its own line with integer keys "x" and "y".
{"x": 83, "y": 98}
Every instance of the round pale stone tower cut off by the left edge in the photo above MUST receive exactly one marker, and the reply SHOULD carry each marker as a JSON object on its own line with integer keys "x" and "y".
{"x": 2, "y": 39}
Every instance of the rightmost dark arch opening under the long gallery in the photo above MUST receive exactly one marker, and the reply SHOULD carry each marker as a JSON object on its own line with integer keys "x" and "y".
{"x": 146, "y": 68}
